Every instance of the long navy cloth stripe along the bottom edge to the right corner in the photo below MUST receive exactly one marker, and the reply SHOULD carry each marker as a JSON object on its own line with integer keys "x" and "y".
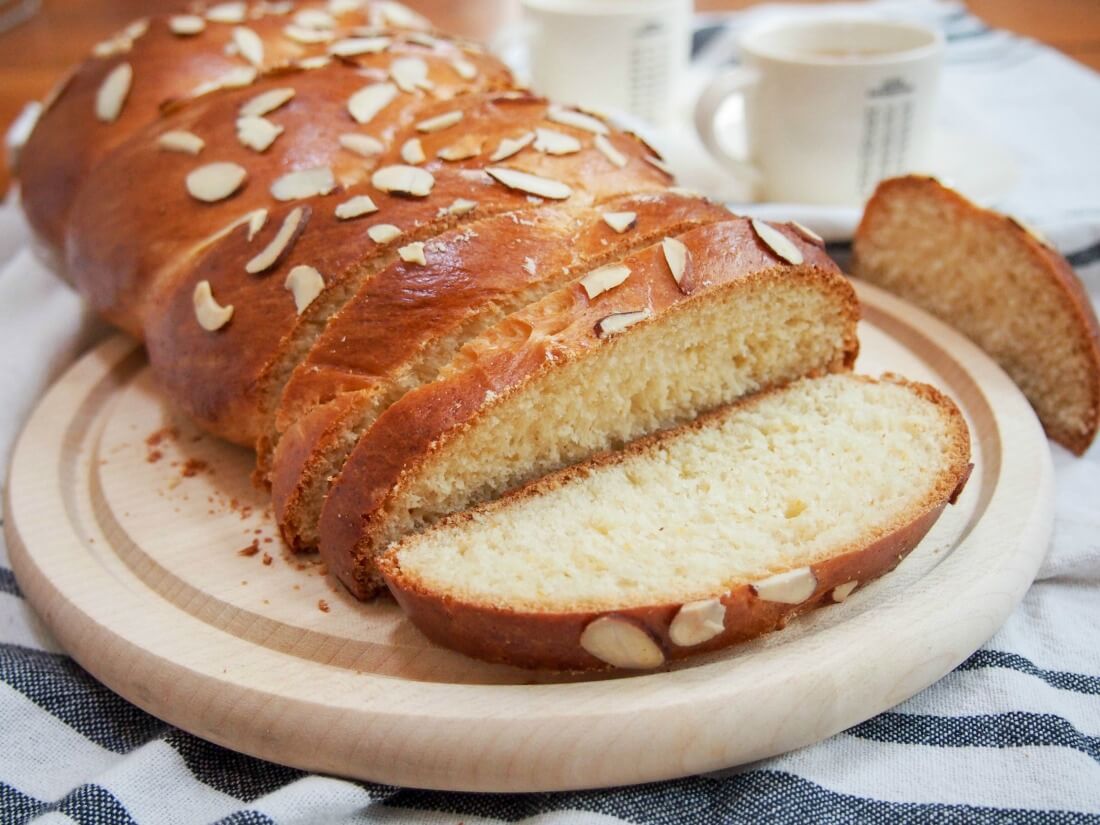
{"x": 777, "y": 798}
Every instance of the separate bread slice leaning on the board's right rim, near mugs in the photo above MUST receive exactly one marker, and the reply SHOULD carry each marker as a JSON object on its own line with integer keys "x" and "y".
{"x": 997, "y": 282}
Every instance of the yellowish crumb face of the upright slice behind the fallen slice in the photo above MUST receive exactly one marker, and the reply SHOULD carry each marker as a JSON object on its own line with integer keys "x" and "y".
{"x": 655, "y": 376}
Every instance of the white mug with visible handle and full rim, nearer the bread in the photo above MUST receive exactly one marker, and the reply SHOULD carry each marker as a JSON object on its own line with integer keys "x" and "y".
{"x": 832, "y": 107}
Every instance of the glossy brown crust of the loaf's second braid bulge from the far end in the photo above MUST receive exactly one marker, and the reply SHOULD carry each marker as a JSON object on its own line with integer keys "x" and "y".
{"x": 139, "y": 192}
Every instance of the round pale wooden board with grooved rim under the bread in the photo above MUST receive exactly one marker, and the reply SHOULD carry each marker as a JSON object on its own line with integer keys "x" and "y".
{"x": 125, "y": 526}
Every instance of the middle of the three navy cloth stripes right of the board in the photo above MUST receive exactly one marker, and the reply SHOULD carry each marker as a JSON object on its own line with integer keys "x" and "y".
{"x": 1015, "y": 730}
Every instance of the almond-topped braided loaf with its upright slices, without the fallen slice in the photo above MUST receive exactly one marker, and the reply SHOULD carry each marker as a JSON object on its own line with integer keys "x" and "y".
{"x": 354, "y": 245}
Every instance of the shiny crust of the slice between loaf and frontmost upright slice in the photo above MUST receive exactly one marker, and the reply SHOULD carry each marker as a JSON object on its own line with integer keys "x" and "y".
{"x": 382, "y": 333}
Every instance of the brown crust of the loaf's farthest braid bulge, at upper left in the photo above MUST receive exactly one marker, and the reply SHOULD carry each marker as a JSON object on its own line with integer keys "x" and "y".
{"x": 168, "y": 69}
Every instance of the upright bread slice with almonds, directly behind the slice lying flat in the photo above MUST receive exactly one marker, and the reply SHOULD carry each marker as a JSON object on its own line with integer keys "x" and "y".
{"x": 577, "y": 373}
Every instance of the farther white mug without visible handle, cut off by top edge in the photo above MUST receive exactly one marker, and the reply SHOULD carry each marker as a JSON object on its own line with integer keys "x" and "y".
{"x": 611, "y": 56}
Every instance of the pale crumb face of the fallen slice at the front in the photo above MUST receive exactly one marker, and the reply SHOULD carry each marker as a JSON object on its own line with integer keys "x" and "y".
{"x": 779, "y": 482}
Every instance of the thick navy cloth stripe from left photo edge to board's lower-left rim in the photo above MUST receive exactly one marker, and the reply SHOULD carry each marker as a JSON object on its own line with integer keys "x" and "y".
{"x": 61, "y": 687}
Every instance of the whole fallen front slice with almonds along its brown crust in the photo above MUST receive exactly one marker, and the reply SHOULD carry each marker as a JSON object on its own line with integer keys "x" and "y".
{"x": 696, "y": 538}
